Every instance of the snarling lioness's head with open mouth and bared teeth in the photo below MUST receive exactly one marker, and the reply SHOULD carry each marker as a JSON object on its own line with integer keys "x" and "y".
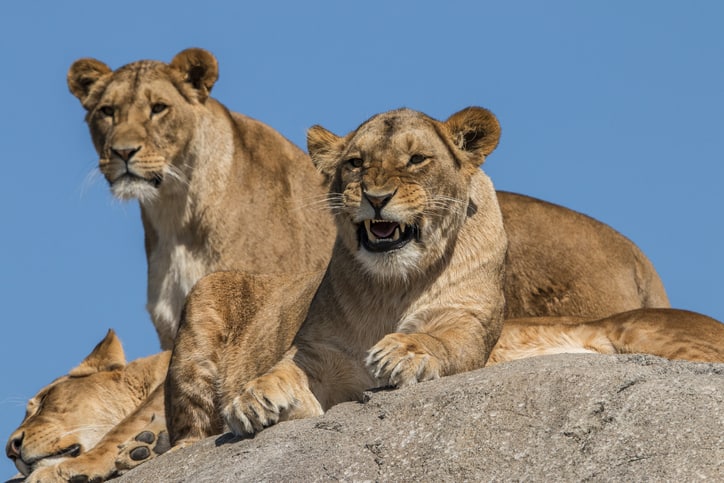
{"x": 399, "y": 184}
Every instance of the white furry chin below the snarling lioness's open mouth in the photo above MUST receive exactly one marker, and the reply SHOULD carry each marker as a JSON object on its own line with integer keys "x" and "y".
{"x": 393, "y": 266}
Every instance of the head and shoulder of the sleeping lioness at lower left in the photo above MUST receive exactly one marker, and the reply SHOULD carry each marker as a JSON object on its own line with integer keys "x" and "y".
{"x": 70, "y": 426}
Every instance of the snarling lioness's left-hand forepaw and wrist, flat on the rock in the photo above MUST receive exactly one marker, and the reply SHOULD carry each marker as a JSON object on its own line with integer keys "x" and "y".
{"x": 281, "y": 394}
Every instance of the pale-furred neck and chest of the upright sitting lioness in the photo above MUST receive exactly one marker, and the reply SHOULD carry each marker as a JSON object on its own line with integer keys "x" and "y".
{"x": 177, "y": 224}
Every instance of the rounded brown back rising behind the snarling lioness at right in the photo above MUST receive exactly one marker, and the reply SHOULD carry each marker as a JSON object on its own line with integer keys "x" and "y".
{"x": 563, "y": 263}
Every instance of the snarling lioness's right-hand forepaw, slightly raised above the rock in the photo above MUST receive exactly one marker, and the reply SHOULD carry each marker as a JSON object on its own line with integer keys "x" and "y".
{"x": 401, "y": 360}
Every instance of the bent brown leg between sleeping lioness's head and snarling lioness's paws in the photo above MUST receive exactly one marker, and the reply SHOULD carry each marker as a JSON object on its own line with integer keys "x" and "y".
{"x": 235, "y": 327}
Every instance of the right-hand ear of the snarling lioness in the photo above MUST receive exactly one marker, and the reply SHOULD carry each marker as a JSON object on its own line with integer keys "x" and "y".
{"x": 476, "y": 131}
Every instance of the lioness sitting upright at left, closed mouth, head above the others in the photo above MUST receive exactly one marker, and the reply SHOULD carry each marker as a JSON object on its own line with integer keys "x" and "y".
{"x": 218, "y": 190}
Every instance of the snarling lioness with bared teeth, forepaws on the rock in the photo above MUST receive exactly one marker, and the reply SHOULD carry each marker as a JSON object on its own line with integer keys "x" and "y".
{"x": 413, "y": 290}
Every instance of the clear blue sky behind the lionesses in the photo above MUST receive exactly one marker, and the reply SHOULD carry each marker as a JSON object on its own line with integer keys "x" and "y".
{"x": 612, "y": 108}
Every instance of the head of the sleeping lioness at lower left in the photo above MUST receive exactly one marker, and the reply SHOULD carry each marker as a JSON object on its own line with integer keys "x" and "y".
{"x": 56, "y": 424}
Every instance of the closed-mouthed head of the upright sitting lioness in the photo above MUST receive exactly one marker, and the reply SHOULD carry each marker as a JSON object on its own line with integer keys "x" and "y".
{"x": 141, "y": 116}
